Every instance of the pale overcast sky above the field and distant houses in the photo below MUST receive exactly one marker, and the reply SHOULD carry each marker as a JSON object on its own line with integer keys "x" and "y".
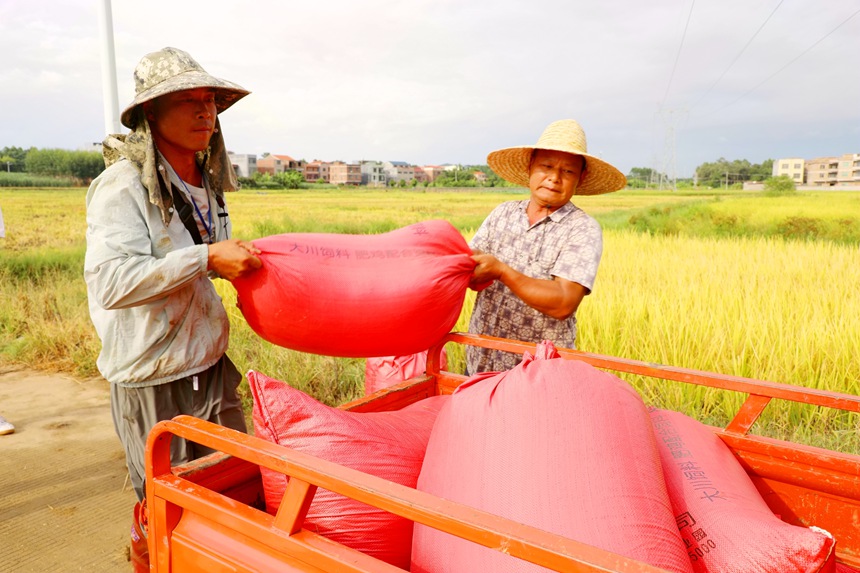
{"x": 448, "y": 81}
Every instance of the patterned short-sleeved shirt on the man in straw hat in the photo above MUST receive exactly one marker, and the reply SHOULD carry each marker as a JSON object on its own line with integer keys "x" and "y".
{"x": 566, "y": 244}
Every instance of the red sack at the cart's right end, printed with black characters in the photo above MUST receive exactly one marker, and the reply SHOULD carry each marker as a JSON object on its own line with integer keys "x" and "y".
{"x": 725, "y": 523}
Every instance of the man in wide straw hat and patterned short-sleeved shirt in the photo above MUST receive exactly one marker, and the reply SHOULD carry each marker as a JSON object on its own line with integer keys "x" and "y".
{"x": 541, "y": 253}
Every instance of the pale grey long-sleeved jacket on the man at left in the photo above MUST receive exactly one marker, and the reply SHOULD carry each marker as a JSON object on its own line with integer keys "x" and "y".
{"x": 150, "y": 297}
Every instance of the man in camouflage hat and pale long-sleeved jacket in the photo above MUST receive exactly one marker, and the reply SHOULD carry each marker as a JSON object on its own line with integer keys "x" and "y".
{"x": 157, "y": 231}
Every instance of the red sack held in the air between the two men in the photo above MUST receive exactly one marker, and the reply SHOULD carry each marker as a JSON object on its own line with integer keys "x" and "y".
{"x": 395, "y": 293}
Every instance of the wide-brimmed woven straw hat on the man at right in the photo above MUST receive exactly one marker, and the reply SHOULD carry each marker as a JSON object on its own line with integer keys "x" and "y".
{"x": 512, "y": 163}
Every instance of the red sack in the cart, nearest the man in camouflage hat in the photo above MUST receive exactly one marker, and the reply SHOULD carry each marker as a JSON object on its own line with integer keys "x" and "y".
{"x": 389, "y": 445}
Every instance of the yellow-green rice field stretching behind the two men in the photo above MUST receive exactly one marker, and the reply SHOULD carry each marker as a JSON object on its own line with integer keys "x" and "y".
{"x": 729, "y": 282}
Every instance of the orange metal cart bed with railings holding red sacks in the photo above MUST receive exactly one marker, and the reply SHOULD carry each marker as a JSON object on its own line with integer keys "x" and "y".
{"x": 209, "y": 515}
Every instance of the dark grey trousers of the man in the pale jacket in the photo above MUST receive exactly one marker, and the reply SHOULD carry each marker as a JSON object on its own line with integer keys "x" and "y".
{"x": 136, "y": 410}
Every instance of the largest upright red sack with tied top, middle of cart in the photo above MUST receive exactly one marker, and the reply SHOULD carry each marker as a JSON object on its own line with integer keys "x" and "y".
{"x": 555, "y": 444}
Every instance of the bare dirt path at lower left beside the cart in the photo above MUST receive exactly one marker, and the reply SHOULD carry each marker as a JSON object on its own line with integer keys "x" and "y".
{"x": 64, "y": 501}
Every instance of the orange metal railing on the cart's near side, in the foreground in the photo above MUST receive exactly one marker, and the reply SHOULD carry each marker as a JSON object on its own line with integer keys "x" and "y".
{"x": 168, "y": 495}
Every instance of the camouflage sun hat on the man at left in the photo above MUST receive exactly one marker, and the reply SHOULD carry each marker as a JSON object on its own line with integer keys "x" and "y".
{"x": 171, "y": 70}
